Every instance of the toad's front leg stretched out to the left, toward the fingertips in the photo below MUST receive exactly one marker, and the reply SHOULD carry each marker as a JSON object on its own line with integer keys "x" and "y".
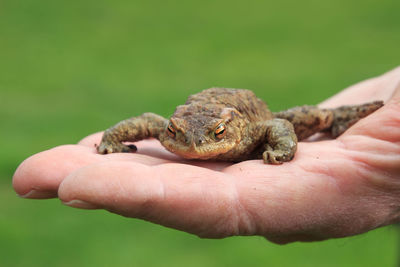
{"x": 134, "y": 129}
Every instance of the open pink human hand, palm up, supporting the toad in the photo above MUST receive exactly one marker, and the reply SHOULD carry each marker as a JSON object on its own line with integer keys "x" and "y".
{"x": 332, "y": 188}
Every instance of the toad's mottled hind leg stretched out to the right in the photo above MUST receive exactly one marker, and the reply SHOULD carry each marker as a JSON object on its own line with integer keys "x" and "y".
{"x": 308, "y": 120}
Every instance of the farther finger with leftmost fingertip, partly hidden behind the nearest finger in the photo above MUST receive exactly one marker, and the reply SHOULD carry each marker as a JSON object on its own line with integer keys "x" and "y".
{"x": 40, "y": 175}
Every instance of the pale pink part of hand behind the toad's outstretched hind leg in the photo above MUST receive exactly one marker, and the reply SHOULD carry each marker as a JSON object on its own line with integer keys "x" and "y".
{"x": 379, "y": 88}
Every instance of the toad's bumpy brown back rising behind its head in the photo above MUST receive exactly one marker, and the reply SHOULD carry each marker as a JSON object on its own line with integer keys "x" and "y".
{"x": 244, "y": 101}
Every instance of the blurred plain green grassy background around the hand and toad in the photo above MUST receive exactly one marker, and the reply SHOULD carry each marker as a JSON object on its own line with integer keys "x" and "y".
{"x": 71, "y": 68}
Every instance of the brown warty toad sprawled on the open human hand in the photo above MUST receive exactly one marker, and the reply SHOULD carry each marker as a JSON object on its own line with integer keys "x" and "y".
{"x": 232, "y": 125}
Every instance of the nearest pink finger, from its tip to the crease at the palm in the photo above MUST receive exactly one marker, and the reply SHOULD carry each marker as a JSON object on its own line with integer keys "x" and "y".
{"x": 189, "y": 198}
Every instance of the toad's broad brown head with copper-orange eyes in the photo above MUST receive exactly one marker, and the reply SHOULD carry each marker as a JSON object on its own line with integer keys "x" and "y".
{"x": 201, "y": 132}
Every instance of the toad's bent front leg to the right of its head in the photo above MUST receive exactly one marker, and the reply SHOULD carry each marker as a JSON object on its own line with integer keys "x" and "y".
{"x": 281, "y": 141}
